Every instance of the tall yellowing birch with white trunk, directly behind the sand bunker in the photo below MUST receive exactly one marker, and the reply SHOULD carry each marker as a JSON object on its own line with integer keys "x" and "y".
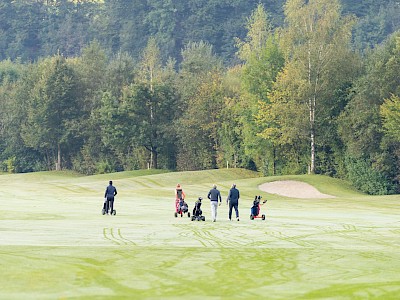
{"x": 316, "y": 41}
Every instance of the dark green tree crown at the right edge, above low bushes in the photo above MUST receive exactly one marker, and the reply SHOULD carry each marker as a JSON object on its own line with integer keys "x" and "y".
{"x": 360, "y": 124}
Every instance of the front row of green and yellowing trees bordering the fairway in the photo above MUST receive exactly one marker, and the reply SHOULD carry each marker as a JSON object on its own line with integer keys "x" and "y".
{"x": 301, "y": 99}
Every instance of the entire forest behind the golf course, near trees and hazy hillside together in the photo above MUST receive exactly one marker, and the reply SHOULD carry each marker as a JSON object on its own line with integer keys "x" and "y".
{"x": 281, "y": 87}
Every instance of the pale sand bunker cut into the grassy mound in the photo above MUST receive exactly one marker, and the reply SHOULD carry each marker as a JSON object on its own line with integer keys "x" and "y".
{"x": 293, "y": 189}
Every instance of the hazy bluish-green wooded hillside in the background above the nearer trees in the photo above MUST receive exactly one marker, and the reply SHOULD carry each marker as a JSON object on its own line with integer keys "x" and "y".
{"x": 39, "y": 28}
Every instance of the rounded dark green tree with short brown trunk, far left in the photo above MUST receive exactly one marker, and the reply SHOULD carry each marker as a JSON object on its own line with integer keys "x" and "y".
{"x": 53, "y": 109}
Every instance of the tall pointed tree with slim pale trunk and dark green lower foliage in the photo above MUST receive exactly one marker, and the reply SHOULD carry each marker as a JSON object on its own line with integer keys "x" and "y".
{"x": 153, "y": 98}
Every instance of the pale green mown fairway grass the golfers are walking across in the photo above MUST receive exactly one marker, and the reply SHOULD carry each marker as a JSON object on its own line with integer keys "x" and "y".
{"x": 55, "y": 244}
